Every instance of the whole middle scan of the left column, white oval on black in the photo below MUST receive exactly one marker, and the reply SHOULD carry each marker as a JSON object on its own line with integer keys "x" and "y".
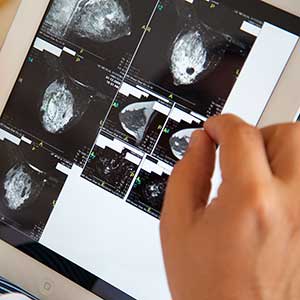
{"x": 64, "y": 107}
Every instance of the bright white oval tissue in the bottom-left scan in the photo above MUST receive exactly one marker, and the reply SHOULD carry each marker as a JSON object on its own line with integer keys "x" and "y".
{"x": 17, "y": 186}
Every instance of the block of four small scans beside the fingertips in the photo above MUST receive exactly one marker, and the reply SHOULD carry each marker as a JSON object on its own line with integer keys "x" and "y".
{"x": 141, "y": 139}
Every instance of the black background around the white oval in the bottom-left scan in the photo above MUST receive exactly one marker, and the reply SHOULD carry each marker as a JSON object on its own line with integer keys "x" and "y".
{"x": 32, "y": 217}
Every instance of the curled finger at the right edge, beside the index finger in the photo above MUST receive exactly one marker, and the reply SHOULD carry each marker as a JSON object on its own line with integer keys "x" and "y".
{"x": 283, "y": 148}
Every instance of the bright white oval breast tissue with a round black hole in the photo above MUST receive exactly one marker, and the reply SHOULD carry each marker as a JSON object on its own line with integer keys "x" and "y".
{"x": 188, "y": 58}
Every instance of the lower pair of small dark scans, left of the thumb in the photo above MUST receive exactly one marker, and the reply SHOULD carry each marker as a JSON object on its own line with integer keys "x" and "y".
{"x": 119, "y": 168}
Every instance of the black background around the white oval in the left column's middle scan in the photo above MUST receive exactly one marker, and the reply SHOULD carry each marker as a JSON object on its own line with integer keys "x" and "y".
{"x": 22, "y": 111}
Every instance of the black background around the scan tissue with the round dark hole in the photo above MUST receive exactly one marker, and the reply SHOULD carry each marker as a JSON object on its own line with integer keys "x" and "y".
{"x": 152, "y": 60}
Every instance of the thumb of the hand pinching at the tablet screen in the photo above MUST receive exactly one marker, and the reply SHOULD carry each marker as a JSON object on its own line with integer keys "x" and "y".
{"x": 189, "y": 184}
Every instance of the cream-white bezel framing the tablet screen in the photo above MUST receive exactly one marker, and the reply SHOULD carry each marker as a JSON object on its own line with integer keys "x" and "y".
{"x": 29, "y": 273}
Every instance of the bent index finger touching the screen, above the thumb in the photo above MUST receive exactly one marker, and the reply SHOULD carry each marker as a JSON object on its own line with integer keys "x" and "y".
{"x": 243, "y": 156}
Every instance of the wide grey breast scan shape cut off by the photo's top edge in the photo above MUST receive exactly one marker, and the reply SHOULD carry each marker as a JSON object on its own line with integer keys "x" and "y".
{"x": 100, "y": 20}
